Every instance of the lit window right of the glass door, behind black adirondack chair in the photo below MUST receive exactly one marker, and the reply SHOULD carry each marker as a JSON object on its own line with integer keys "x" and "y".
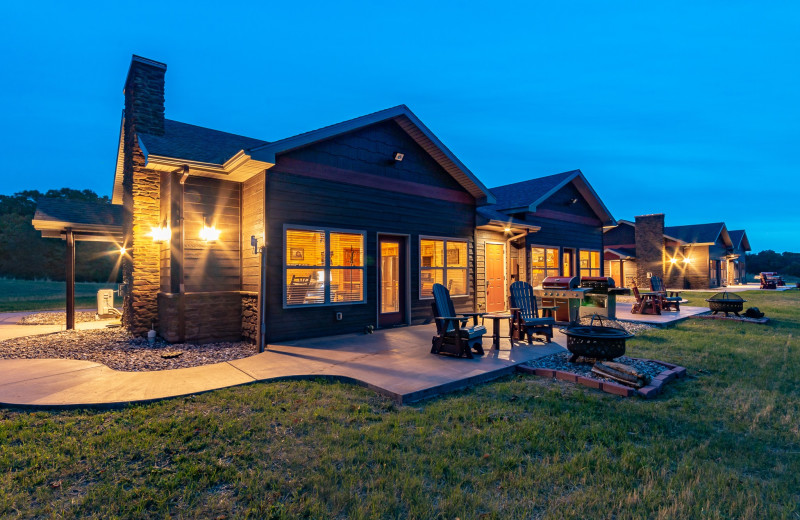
{"x": 443, "y": 261}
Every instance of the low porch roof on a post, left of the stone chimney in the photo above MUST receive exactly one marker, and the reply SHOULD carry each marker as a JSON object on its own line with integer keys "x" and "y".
{"x": 89, "y": 220}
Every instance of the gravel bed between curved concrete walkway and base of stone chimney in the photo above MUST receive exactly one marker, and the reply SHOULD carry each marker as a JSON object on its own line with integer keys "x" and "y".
{"x": 119, "y": 350}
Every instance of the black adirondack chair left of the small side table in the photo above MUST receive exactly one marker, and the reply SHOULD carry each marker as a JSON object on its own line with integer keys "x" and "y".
{"x": 452, "y": 334}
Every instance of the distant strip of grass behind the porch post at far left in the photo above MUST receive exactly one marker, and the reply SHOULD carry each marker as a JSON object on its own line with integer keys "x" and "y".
{"x": 35, "y": 295}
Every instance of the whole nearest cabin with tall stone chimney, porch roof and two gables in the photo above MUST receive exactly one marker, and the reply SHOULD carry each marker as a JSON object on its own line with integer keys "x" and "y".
{"x": 337, "y": 230}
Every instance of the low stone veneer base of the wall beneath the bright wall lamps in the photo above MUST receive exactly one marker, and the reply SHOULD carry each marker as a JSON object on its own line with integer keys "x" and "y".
{"x": 210, "y": 316}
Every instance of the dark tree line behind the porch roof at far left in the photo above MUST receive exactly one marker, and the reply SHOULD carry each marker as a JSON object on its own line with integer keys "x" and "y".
{"x": 25, "y": 254}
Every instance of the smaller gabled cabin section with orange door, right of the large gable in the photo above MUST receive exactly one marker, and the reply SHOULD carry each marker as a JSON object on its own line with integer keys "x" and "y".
{"x": 553, "y": 227}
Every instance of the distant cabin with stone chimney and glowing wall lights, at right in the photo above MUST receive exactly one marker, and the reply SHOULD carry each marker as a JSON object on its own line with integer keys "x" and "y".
{"x": 698, "y": 256}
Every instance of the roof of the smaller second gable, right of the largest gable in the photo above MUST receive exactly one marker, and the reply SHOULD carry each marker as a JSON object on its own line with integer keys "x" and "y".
{"x": 527, "y": 195}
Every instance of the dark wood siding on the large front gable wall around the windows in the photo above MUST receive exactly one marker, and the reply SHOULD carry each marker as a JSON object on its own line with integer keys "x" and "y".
{"x": 295, "y": 199}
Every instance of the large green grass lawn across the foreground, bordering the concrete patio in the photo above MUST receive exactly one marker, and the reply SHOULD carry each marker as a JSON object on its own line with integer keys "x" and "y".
{"x": 722, "y": 443}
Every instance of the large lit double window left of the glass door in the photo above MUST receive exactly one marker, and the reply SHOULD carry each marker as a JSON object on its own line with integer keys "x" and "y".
{"x": 323, "y": 267}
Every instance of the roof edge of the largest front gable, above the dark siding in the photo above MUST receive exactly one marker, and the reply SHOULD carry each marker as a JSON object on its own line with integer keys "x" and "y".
{"x": 409, "y": 122}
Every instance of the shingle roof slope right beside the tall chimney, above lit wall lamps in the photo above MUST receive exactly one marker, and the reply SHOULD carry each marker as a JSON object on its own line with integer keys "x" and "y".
{"x": 196, "y": 143}
